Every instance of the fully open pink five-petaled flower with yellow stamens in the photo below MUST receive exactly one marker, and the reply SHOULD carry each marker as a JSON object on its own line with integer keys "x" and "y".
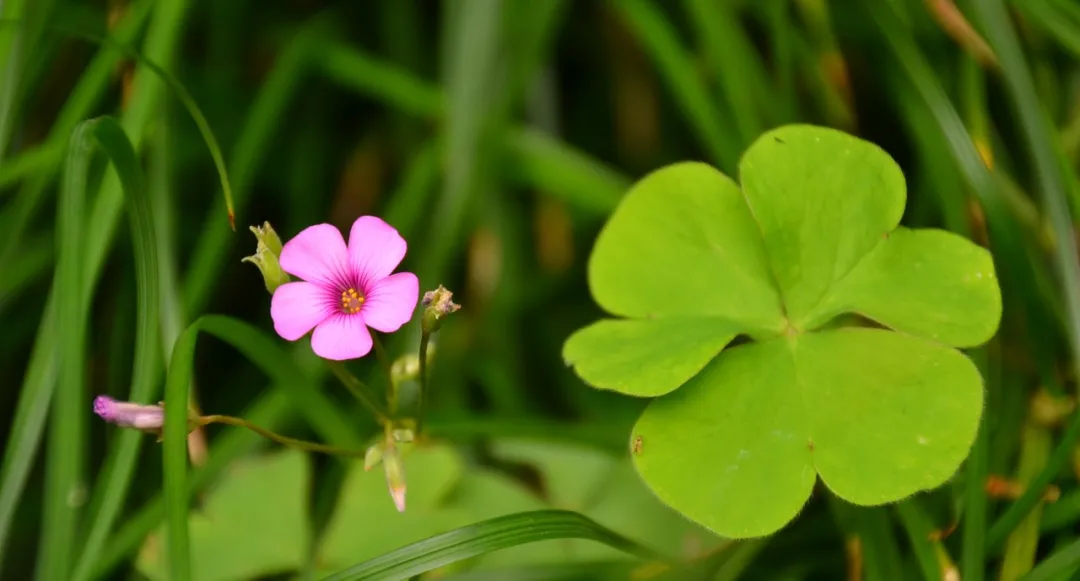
{"x": 346, "y": 289}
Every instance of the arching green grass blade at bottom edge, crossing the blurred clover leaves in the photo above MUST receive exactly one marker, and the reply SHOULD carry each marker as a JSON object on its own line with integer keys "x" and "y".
{"x": 485, "y": 537}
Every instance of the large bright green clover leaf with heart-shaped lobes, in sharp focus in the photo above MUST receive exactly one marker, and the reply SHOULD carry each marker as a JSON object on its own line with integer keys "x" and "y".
{"x": 739, "y": 437}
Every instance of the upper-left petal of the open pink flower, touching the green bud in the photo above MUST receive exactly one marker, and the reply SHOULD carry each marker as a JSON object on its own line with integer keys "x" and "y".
{"x": 318, "y": 255}
